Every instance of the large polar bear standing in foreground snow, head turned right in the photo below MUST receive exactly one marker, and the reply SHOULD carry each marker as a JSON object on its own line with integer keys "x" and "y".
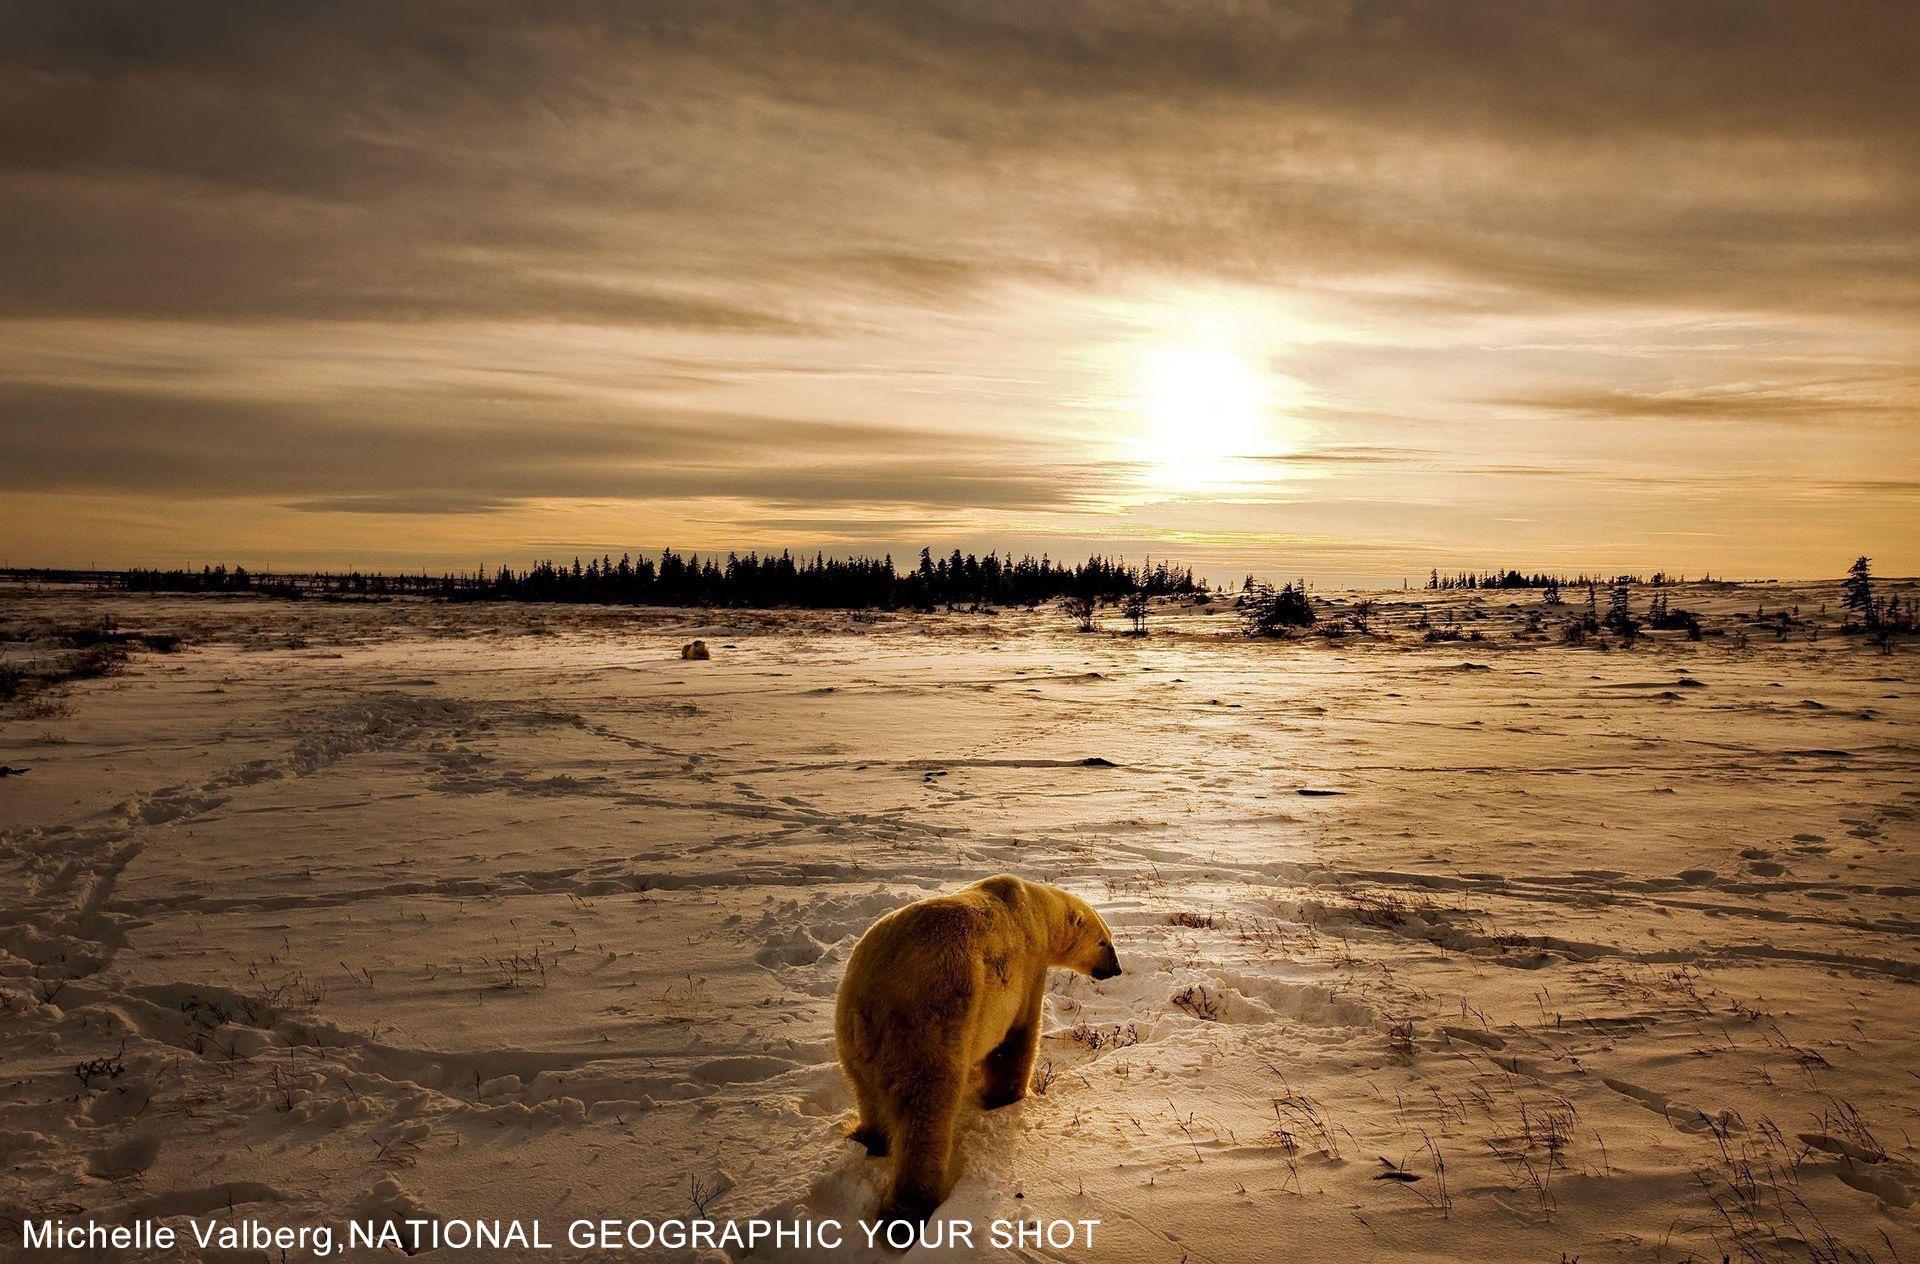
{"x": 940, "y": 988}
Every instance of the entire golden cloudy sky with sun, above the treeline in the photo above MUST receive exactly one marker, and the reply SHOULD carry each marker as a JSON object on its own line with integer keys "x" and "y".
{"x": 1343, "y": 289}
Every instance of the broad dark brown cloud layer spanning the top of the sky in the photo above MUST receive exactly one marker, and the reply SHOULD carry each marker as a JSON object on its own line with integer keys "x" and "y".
{"x": 613, "y": 164}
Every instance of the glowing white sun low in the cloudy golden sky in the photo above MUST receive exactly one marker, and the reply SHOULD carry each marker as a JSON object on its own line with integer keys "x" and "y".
{"x": 1203, "y": 414}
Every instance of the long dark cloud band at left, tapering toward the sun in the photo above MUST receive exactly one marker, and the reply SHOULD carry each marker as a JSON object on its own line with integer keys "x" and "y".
{"x": 454, "y": 454}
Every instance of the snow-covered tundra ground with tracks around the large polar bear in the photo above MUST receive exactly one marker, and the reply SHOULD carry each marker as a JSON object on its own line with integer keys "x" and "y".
{"x": 483, "y": 912}
